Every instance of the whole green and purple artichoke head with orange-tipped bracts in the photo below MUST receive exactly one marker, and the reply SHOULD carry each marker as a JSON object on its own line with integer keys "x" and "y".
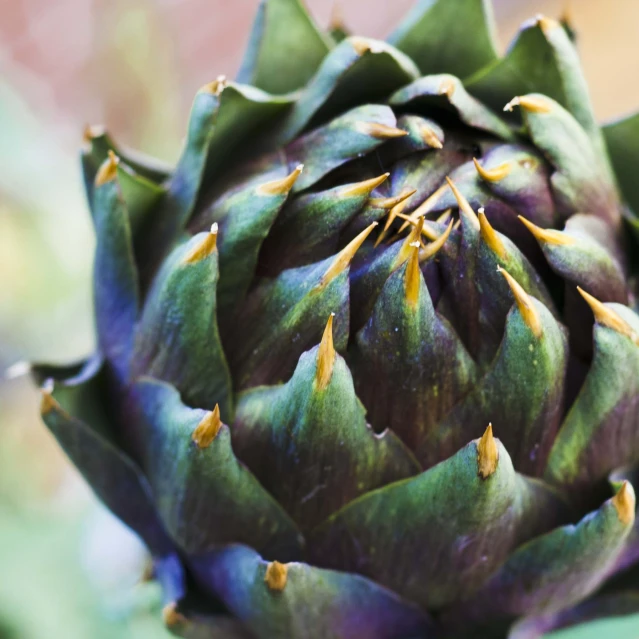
{"x": 368, "y": 364}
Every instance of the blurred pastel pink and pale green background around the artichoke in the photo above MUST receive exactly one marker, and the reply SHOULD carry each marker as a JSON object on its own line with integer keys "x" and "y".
{"x": 67, "y": 569}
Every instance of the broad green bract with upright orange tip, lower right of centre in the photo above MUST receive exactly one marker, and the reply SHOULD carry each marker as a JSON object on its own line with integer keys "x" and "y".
{"x": 457, "y": 522}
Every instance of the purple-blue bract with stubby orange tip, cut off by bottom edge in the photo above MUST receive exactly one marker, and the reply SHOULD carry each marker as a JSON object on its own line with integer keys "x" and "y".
{"x": 344, "y": 605}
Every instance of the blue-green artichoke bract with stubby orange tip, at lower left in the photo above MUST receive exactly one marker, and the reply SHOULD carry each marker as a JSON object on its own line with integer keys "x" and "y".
{"x": 204, "y": 495}
